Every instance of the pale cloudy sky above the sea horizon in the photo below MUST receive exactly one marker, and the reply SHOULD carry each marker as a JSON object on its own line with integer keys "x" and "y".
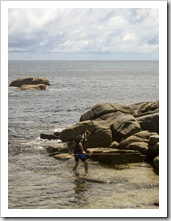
{"x": 62, "y": 34}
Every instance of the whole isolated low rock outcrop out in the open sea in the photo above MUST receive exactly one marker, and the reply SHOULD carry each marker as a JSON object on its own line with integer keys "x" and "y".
{"x": 30, "y": 83}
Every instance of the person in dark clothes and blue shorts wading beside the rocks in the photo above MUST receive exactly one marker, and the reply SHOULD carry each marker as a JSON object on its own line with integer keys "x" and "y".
{"x": 79, "y": 152}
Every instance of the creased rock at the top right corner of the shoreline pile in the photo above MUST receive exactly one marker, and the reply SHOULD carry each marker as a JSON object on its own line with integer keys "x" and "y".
{"x": 145, "y": 108}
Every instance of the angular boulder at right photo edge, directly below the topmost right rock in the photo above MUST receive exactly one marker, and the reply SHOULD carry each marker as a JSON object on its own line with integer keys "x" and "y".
{"x": 149, "y": 122}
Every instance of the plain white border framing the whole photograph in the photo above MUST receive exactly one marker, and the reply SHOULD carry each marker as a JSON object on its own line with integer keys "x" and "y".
{"x": 162, "y": 211}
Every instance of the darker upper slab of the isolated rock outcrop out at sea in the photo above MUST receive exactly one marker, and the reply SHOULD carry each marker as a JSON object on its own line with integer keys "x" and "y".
{"x": 29, "y": 81}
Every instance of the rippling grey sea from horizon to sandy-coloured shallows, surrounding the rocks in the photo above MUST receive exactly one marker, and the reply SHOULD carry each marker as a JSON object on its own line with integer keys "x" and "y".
{"x": 39, "y": 181}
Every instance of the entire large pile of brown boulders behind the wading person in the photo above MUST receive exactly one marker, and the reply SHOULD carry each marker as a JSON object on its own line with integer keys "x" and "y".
{"x": 120, "y": 134}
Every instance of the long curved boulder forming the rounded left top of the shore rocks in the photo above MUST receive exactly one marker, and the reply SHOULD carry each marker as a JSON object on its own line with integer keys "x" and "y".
{"x": 106, "y": 108}
